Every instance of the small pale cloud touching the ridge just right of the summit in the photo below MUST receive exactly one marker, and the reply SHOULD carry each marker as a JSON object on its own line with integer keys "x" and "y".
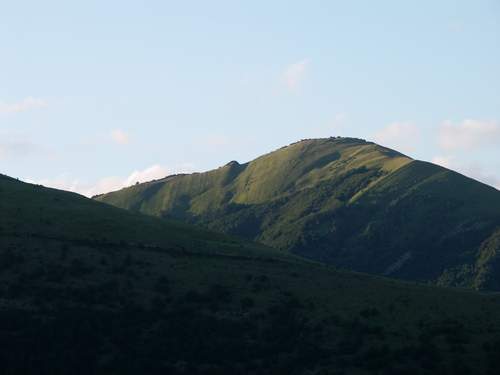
{"x": 402, "y": 136}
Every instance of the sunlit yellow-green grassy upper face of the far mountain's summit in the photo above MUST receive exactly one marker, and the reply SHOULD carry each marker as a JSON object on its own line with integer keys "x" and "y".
{"x": 304, "y": 164}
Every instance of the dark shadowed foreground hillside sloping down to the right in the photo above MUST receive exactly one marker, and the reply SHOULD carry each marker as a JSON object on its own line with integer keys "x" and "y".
{"x": 87, "y": 288}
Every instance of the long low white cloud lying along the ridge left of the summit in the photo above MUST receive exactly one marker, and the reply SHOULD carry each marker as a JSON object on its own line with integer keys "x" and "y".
{"x": 111, "y": 183}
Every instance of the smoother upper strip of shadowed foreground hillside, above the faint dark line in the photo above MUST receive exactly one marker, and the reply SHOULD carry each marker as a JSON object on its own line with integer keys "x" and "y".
{"x": 39, "y": 212}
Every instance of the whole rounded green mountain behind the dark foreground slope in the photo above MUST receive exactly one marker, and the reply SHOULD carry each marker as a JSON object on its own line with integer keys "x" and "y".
{"x": 346, "y": 202}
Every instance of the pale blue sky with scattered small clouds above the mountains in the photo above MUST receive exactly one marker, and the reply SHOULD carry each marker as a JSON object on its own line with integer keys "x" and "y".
{"x": 92, "y": 91}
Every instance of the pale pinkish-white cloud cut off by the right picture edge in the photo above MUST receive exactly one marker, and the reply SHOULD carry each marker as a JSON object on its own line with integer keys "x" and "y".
{"x": 468, "y": 135}
